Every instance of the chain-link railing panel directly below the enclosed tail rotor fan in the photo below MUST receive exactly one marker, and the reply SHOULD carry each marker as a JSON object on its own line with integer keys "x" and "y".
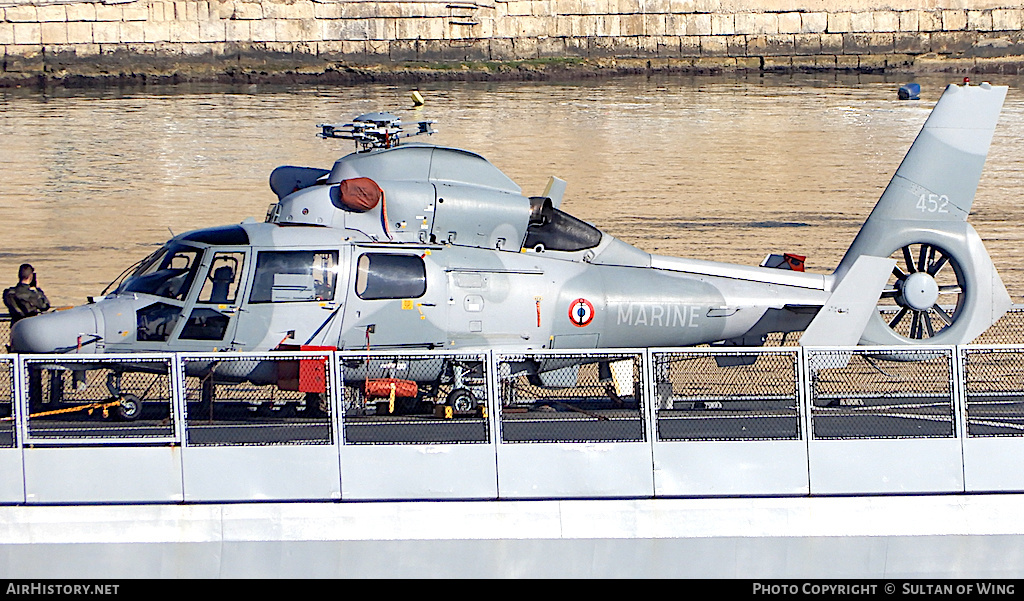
{"x": 870, "y": 394}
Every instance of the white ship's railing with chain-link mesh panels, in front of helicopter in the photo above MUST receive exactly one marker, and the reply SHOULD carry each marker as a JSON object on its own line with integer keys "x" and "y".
{"x": 623, "y": 423}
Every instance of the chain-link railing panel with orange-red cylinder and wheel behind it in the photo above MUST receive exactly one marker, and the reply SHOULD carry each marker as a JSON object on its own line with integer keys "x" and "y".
{"x": 393, "y": 399}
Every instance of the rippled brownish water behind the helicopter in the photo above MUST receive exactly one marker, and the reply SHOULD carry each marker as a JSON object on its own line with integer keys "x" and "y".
{"x": 727, "y": 168}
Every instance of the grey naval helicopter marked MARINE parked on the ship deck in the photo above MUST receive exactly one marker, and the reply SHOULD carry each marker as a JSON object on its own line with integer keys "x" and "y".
{"x": 418, "y": 247}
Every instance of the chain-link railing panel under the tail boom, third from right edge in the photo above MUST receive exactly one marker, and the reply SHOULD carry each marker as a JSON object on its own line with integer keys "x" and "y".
{"x": 728, "y": 396}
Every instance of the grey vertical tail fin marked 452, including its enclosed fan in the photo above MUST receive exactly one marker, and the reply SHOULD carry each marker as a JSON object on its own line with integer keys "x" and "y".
{"x": 945, "y": 289}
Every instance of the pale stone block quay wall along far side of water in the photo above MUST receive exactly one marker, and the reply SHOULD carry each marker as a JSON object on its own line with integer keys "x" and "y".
{"x": 230, "y": 38}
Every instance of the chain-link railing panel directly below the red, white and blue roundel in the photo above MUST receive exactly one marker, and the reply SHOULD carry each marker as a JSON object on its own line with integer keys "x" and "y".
{"x": 578, "y": 398}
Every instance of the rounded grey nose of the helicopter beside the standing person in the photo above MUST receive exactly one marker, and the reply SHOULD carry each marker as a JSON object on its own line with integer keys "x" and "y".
{"x": 58, "y": 332}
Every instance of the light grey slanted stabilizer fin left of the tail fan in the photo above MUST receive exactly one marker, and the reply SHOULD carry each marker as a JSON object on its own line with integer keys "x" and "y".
{"x": 844, "y": 317}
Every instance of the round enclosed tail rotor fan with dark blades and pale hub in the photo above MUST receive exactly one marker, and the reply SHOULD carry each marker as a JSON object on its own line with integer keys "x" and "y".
{"x": 926, "y": 282}
